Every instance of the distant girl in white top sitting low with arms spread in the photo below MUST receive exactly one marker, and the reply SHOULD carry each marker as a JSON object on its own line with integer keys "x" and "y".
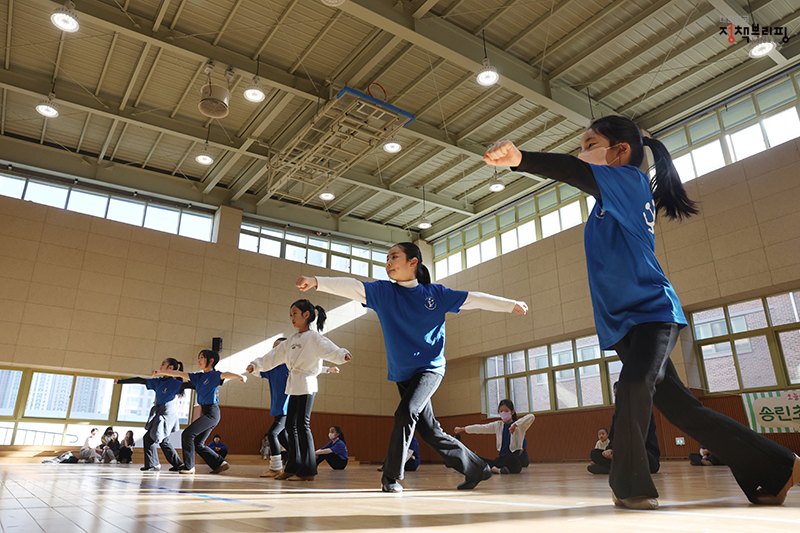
{"x": 511, "y": 442}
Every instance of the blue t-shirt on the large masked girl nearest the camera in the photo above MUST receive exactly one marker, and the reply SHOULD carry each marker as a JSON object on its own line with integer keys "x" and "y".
{"x": 627, "y": 284}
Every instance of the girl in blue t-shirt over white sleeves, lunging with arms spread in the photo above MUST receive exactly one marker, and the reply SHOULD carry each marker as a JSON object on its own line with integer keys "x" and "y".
{"x": 412, "y": 312}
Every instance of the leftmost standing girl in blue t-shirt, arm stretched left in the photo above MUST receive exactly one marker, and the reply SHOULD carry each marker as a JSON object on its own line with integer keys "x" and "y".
{"x": 163, "y": 418}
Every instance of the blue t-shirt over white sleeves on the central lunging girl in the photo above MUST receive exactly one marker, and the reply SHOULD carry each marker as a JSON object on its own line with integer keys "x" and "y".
{"x": 412, "y": 320}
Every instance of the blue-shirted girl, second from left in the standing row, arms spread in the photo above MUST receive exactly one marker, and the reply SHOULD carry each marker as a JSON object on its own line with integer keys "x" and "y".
{"x": 206, "y": 382}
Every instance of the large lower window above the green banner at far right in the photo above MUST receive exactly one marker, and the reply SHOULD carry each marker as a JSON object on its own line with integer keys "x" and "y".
{"x": 749, "y": 345}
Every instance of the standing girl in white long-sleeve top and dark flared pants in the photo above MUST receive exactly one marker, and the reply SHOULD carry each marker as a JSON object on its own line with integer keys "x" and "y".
{"x": 302, "y": 353}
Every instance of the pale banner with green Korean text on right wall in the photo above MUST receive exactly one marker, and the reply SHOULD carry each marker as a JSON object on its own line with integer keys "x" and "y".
{"x": 773, "y": 411}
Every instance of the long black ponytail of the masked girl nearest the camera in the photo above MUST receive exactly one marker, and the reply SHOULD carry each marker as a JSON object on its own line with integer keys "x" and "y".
{"x": 668, "y": 191}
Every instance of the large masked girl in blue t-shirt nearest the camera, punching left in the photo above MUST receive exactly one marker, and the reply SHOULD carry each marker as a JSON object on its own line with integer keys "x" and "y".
{"x": 637, "y": 312}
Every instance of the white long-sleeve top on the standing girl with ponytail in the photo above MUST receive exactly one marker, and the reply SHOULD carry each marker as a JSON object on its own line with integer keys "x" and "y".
{"x": 303, "y": 354}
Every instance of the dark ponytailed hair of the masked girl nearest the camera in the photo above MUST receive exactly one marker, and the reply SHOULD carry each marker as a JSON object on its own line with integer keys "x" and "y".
{"x": 668, "y": 192}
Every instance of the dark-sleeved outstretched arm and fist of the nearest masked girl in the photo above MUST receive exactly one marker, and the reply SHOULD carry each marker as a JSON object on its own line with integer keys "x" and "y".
{"x": 560, "y": 167}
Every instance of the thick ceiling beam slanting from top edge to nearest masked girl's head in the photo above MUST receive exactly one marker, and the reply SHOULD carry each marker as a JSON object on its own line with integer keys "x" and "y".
{"x": 444, "y": 39}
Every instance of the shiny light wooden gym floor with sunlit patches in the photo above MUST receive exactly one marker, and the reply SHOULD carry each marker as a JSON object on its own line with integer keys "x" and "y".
{"x": 545, "y": 497}
